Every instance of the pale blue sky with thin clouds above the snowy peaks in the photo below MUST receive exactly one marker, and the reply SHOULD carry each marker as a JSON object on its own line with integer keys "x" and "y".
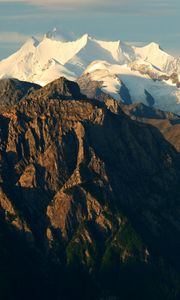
{"x": 128, "y": 20}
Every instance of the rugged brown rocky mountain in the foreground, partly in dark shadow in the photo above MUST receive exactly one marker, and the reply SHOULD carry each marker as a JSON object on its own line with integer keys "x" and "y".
{"x": 93, "y": 193}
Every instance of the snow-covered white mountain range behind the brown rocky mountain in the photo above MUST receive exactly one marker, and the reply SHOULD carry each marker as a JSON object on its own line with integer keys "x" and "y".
{"x": 147, "y": 74}
